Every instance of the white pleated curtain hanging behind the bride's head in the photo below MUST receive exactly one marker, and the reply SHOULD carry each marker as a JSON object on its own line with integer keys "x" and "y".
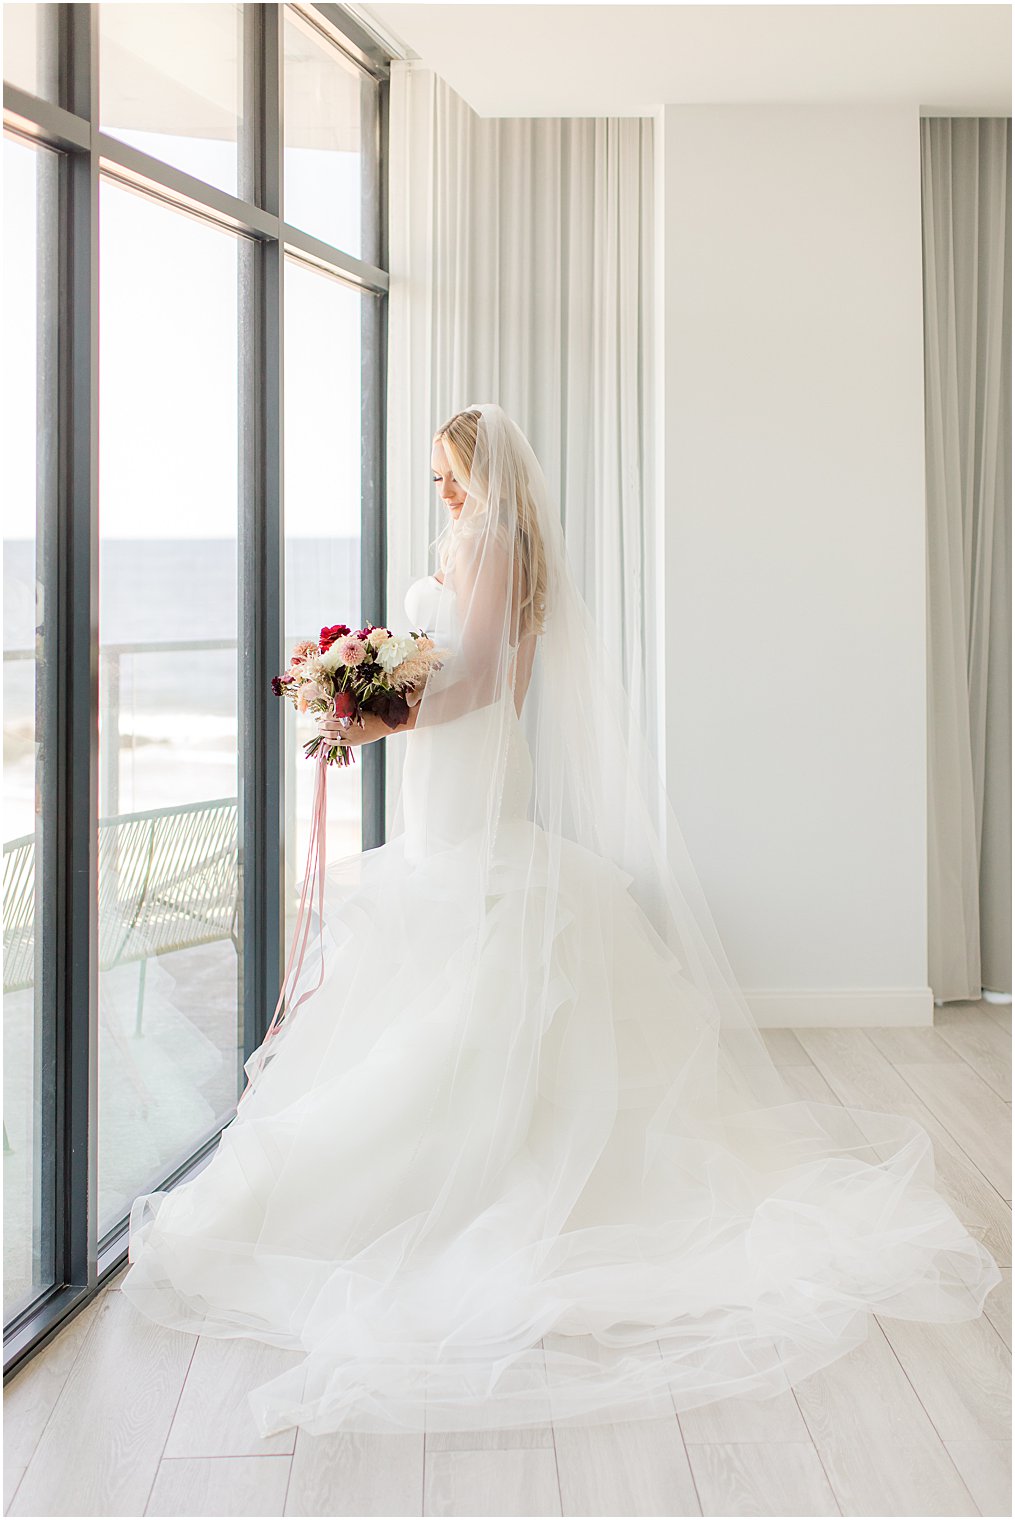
{"x": 522, "y": 274}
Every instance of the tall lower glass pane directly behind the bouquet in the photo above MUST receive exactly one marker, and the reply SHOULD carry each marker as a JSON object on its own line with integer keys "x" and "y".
{"x": 323, "y": 493}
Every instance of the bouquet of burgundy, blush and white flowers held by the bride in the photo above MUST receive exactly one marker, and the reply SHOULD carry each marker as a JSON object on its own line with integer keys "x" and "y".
{"x": 349, "y": 674}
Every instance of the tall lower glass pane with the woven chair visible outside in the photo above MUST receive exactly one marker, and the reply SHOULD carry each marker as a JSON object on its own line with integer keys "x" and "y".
{"x": 169, "y": 987}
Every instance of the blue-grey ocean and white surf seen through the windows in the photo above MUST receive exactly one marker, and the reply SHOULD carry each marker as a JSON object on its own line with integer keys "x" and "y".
{"x": 177, "y": 709}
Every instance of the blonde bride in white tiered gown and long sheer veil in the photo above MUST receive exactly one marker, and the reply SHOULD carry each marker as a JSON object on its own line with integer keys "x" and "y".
{"x": 520, "y": 1154}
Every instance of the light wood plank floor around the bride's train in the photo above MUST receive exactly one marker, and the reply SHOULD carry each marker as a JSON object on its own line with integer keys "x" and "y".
{"x": 119, "y": 1417}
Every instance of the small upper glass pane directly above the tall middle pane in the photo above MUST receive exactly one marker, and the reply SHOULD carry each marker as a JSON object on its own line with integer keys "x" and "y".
{"x": 172, "y": 84}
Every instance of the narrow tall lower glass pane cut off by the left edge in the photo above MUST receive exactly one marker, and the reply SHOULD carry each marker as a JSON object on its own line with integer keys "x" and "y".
{"x": 30, "y": 426}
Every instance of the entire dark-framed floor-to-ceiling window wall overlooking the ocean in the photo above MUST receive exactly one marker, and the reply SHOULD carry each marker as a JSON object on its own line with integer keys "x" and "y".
{"x": 194, "y": 469}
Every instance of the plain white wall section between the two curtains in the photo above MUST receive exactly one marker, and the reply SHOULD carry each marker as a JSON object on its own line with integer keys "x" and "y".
{"x": 792, "y": 477}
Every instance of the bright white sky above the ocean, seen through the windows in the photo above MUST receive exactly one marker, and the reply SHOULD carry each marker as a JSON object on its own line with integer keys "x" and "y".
{"x": 168, "y": 355}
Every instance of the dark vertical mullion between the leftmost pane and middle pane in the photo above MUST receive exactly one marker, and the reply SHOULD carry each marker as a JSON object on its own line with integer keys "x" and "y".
{"x": 78, "y": 673}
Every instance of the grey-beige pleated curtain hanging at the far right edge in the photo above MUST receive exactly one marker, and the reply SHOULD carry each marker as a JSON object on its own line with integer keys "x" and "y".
{"x": 967, "y": 214}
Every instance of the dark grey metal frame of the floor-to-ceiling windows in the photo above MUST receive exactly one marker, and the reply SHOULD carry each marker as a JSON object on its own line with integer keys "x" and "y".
{"x": 71, "y": 777}
